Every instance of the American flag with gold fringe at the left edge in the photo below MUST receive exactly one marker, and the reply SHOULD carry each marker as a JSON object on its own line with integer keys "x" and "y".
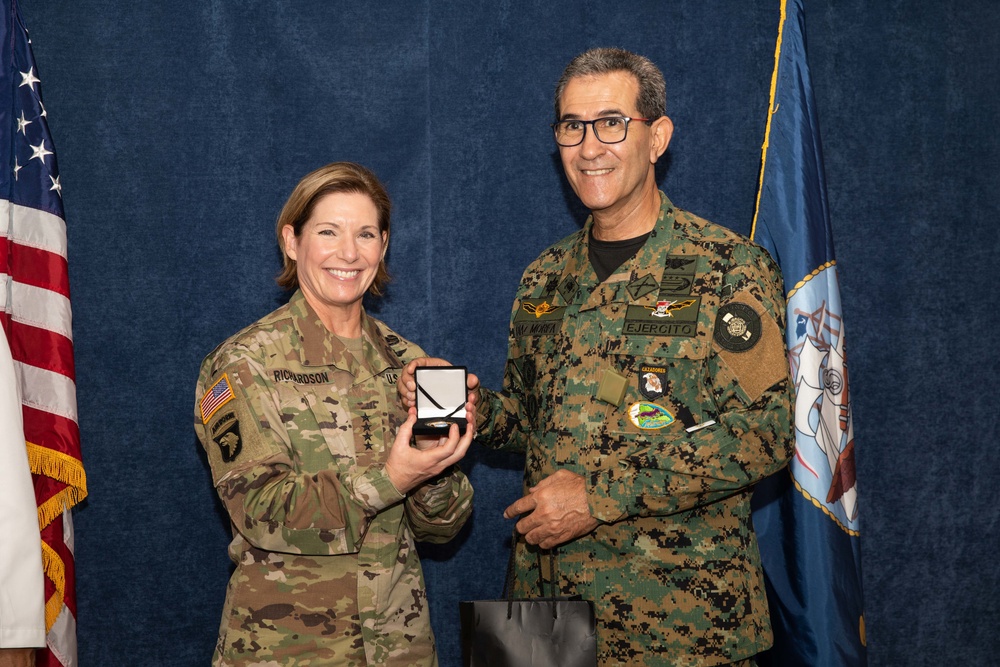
{"x": 35, "y": 313}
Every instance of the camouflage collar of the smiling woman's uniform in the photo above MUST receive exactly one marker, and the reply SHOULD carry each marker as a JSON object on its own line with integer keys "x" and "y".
{"x": 318, "y": 347}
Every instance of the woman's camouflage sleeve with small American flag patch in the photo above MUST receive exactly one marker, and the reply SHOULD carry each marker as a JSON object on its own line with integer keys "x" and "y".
{"x": 252, "y": 455}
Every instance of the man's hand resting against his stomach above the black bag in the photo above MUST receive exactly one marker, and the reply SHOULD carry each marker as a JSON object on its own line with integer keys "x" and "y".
{"x": 556, "y": 510}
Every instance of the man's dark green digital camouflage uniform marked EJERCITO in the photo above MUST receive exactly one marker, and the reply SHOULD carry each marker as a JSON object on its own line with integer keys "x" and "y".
{"x": 667, "y": 387}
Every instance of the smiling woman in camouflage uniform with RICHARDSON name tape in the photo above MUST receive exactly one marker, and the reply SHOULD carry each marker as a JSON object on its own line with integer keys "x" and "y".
{"x": 311, "y": 454}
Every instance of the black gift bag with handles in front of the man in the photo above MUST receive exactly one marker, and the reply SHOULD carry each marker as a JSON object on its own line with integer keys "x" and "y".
{"x": 535, "y": 632}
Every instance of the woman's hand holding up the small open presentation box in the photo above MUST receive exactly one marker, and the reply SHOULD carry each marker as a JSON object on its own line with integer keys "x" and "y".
{"x": 409, "y": 467}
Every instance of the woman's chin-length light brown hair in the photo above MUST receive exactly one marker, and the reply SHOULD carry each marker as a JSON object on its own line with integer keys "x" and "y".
{"x": 335, "y": 177}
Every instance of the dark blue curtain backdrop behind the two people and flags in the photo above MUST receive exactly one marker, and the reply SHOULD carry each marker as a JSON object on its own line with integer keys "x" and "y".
{"x": 181, "y": 127}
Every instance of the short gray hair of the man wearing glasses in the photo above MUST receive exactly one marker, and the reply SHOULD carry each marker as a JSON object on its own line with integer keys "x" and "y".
{"x": 652, "y": 101}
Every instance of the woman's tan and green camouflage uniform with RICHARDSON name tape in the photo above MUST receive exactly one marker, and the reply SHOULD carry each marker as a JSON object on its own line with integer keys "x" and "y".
{"x": 297, "y": 430}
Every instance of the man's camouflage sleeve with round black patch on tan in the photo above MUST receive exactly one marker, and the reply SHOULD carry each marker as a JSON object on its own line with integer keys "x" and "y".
{"x": 752, "y": 436}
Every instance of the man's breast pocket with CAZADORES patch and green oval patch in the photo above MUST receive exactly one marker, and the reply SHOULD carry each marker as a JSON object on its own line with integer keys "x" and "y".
{"x": 666, "y": 388}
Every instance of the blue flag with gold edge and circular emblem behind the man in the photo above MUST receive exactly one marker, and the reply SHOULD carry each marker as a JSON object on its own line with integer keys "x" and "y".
{"x": 806, "y": 517}
